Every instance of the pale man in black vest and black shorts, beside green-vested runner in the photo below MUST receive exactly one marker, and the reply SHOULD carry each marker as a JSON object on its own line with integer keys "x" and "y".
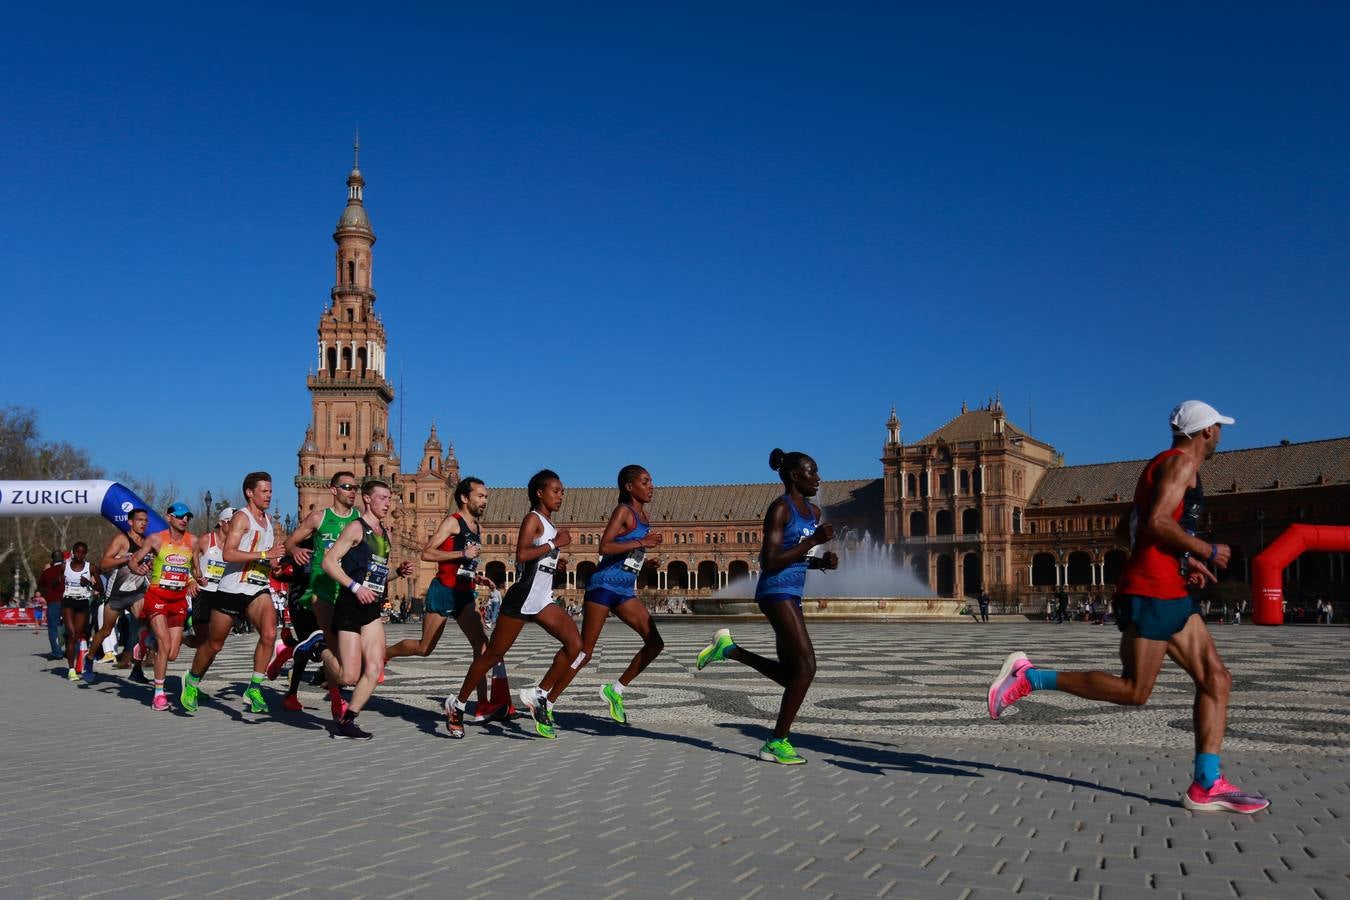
{"x": 358, "y": 562}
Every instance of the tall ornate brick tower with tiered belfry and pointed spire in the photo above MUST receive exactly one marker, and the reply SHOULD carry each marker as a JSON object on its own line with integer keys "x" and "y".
{"x": 349, "y": 392}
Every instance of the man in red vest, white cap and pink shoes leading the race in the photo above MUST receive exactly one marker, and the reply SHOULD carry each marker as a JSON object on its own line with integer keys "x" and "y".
{"x": 1156, "y": 615}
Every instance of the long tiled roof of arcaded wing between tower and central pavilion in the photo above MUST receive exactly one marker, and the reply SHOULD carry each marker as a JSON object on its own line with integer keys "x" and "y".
{"x": 704, "y": 504}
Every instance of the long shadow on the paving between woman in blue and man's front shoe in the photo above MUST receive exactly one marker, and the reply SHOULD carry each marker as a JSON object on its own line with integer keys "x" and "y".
{"x": 877, "y": 758}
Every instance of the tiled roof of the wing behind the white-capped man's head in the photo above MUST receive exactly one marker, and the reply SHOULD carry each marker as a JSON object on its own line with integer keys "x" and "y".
{"x": 1260, "y": 469}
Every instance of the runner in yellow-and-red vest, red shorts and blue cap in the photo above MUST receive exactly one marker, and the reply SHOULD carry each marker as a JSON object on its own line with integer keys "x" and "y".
{"x": 172, "y": 582}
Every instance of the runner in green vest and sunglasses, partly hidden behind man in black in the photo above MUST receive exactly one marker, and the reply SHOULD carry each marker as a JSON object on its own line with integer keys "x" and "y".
{"x": 313, "y": 613}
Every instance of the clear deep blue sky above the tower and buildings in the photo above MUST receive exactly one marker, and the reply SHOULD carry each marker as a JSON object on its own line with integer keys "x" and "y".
{"x": 677, "y": 237}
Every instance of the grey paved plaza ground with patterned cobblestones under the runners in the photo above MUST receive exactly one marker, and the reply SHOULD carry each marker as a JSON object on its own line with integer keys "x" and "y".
{"x": 911, "y": 791}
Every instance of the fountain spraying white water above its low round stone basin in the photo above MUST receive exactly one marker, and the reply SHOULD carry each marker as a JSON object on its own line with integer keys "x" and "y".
{"x": 869, "y": 585}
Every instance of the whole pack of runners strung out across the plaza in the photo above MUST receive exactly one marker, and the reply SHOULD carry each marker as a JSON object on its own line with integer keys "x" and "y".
{"x": 344, "y": 563}
